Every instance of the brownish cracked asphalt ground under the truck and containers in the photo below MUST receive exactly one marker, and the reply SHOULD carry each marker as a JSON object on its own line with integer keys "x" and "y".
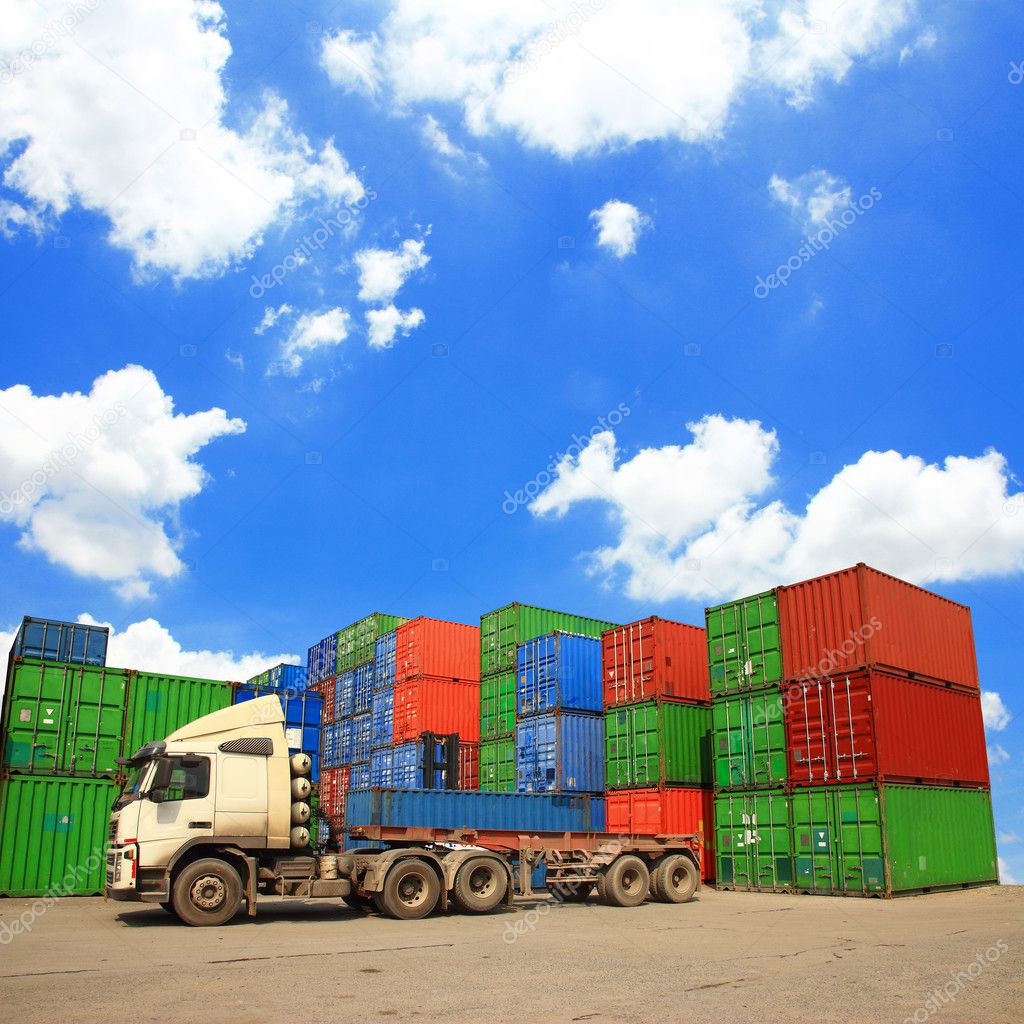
{"x": 728, "y": 957}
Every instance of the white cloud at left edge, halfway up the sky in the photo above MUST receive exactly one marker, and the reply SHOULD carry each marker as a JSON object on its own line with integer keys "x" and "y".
{"x": 95, "y": 482}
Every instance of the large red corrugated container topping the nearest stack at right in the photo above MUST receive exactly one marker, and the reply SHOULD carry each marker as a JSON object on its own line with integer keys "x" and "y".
{"x": 861, "y": 617}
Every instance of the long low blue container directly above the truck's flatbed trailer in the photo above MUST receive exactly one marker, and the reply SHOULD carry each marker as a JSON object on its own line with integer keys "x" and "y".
{"x": 530, "y": 813}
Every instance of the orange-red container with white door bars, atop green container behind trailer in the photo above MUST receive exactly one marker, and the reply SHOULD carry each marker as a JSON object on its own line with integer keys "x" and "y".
{"x": 655, "y": 658}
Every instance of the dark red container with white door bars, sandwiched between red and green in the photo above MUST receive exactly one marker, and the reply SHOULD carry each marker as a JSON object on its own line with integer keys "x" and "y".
{"x": 878, "y": 726}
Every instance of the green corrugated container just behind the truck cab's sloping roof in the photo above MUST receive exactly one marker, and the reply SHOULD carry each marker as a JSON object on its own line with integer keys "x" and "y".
{"x": 159, "y": 705}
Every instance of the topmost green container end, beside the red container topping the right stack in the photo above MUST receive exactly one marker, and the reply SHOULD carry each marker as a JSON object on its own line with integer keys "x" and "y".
{"x": 744, "y": 648}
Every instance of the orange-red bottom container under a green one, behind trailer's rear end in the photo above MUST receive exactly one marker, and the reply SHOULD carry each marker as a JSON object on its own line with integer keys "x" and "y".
{"x": 666, "y": 812}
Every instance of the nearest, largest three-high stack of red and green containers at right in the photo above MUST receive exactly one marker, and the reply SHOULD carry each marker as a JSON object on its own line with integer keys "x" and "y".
{"x": 849, "y": 740}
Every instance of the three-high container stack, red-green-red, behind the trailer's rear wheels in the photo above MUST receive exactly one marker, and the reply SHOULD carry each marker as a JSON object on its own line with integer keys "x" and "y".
{"x": 658, "y": 732}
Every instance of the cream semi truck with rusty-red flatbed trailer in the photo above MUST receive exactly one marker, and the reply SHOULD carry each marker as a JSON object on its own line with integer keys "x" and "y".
{"x": 217, "y": 816}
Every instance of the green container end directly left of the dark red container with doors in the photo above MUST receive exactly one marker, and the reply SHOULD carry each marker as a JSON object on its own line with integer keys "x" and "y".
{"x": 749, "y": 740}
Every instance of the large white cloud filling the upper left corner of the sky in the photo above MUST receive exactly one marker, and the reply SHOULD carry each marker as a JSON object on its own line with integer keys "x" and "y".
{"x": 127, "y": 117}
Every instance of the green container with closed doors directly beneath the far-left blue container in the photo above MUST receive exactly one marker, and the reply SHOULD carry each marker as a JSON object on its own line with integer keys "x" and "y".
{"x": 64, "y": 719}
